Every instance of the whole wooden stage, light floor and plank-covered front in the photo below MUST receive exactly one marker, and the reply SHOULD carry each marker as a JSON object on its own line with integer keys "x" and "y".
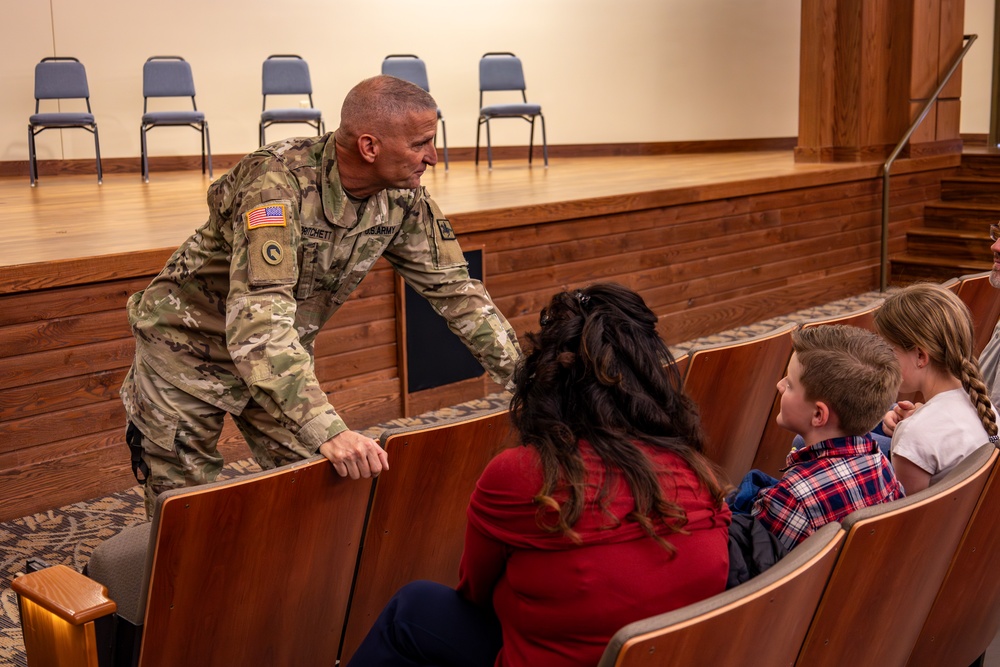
{"x": 712, "y": 241}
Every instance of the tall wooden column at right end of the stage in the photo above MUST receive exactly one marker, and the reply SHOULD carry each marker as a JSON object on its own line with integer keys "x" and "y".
{"x": 866, "y": 69}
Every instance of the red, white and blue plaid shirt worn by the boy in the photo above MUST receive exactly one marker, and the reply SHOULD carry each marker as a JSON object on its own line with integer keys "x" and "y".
{"x": 824, "y": 483}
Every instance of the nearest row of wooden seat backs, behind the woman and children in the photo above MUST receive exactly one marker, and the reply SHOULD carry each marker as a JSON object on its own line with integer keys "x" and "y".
{"x": 911, "y": 582}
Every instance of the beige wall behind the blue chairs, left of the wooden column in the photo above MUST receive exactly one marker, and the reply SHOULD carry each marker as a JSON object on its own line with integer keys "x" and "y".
{"x": 604, "y": 72}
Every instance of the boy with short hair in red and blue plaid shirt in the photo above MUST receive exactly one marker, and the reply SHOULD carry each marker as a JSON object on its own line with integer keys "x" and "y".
{"x": 840, "y": 380}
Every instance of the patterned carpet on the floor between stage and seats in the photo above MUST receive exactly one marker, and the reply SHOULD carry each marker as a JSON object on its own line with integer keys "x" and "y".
{"x": 68, "y": 535}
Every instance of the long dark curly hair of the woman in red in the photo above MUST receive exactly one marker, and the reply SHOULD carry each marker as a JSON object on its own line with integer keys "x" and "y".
{"x": 597, "y": 370}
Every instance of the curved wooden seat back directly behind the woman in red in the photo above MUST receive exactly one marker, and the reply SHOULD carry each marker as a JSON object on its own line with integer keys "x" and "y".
{"x": 761, "y": 622}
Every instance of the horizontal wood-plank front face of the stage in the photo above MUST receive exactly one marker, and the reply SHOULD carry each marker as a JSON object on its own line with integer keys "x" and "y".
{"x": 704, "y": 259}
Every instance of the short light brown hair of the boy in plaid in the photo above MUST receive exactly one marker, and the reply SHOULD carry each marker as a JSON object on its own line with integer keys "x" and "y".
{"x": 850, "y": 369}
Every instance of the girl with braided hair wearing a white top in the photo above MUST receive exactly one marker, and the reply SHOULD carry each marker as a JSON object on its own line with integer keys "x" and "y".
{"x": 931, "y": 332}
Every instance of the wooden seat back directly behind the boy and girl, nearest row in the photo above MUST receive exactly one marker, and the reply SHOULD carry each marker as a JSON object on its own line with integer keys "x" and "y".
{"x": 889, "y": 571}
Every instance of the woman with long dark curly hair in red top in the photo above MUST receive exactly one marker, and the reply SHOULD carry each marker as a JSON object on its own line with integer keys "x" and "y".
{"x": 606, "y": 514}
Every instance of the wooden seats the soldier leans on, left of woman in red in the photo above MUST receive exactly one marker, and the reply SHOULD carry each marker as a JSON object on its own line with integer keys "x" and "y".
{"x": 282, "y": 567}
